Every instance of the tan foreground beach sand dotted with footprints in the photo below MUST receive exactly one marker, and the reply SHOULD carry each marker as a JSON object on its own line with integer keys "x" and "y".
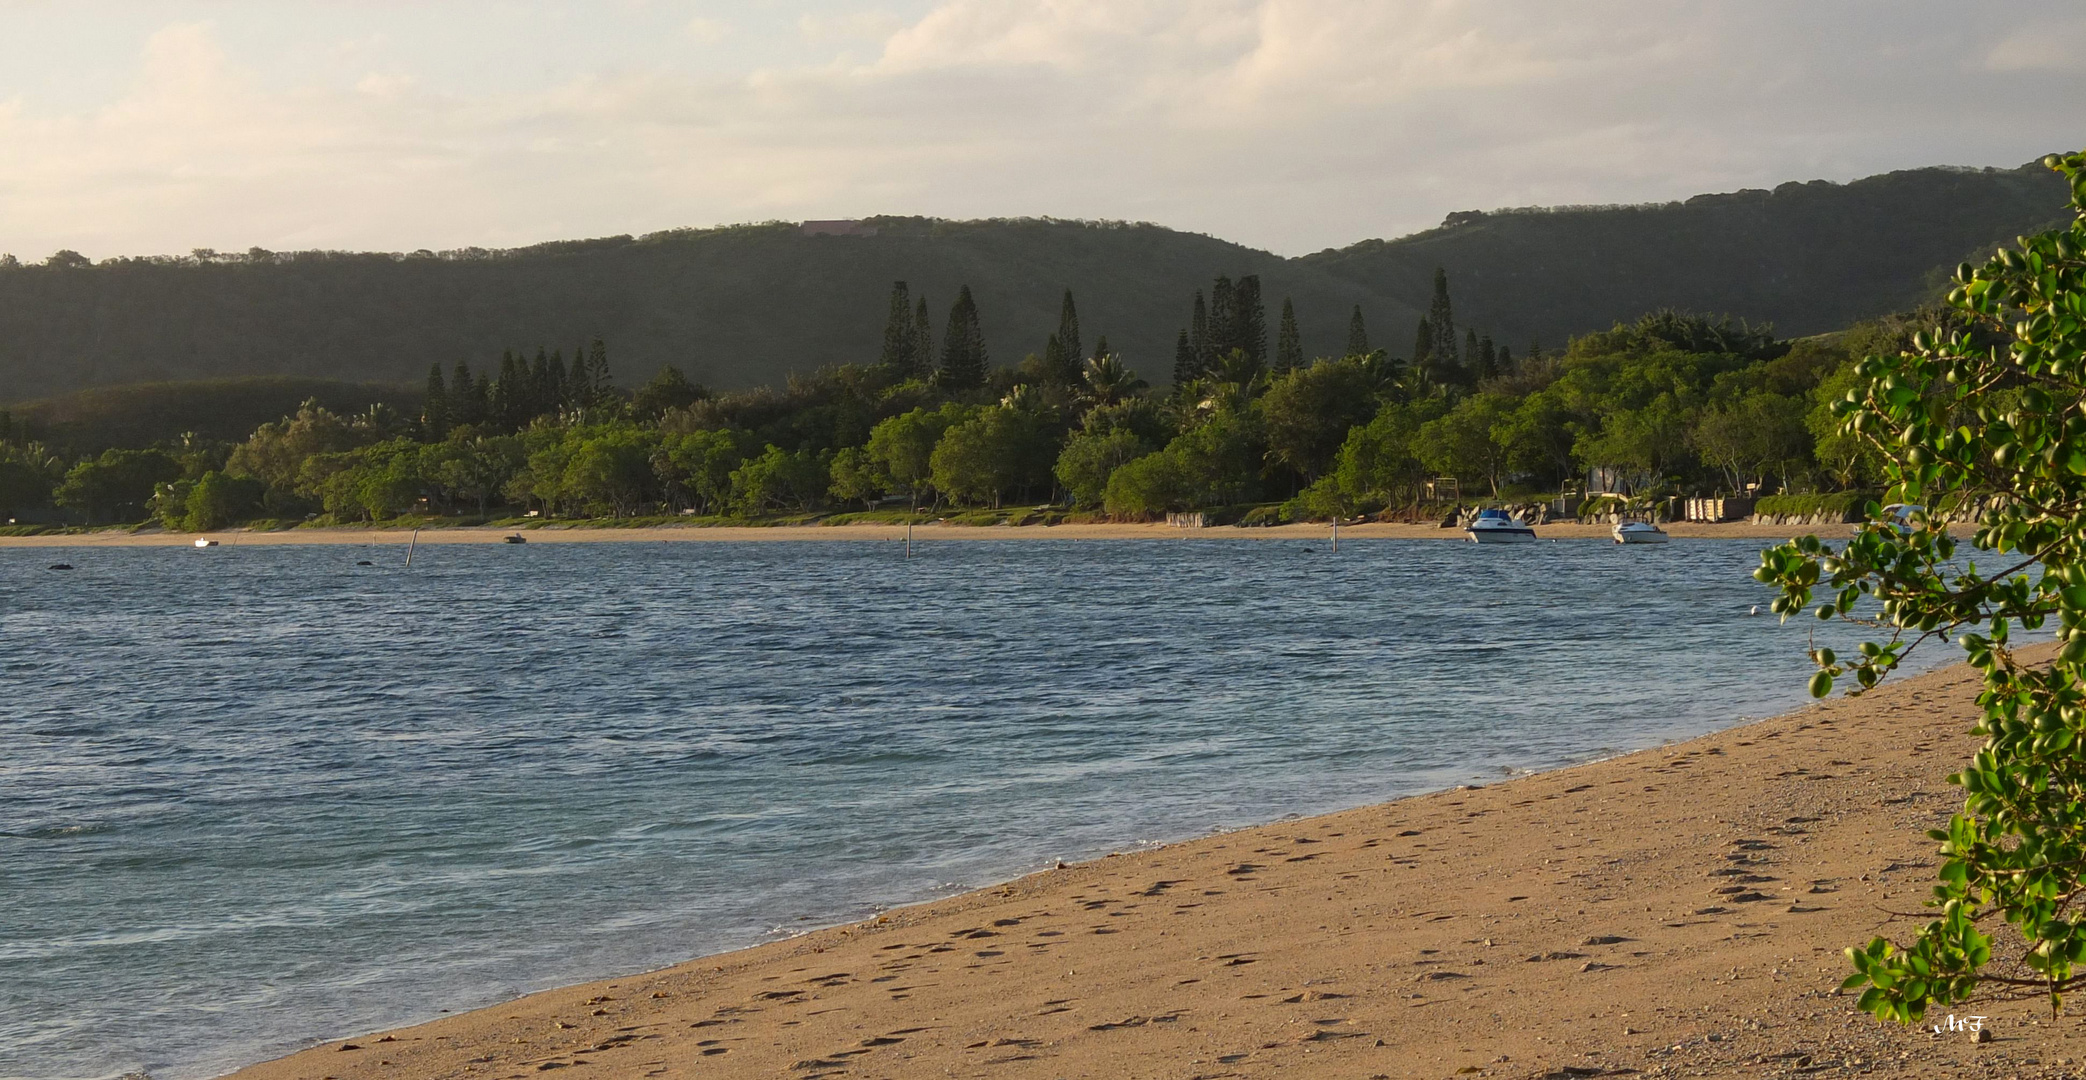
{"x": 1676, "y": 912}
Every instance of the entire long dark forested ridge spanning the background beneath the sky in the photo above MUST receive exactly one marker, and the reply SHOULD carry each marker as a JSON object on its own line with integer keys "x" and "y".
{"x": 748, "y": 305}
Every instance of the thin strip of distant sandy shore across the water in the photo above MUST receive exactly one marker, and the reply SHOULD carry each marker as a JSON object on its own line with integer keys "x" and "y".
{"x": 936, "y": 533}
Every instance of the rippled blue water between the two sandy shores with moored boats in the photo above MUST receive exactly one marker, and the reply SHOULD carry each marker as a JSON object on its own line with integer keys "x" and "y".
{"x": 258, "y": 797}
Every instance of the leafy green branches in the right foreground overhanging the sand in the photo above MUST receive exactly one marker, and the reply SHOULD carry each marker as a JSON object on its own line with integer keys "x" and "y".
{"x": 1983, "y": 410}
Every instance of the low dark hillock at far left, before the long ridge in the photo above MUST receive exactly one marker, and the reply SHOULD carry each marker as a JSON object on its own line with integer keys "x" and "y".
{"x": 214, "y": 410}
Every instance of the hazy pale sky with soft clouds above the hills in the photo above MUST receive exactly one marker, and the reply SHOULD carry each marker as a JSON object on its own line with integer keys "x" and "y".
{"x": 135, "y": 128}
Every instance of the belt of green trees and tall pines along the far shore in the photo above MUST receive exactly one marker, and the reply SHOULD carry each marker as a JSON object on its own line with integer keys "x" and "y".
{"x": 1666, "y": 406}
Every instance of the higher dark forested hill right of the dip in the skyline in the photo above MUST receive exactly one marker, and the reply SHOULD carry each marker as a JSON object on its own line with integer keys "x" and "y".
{"x": 1808, "y": 257}
